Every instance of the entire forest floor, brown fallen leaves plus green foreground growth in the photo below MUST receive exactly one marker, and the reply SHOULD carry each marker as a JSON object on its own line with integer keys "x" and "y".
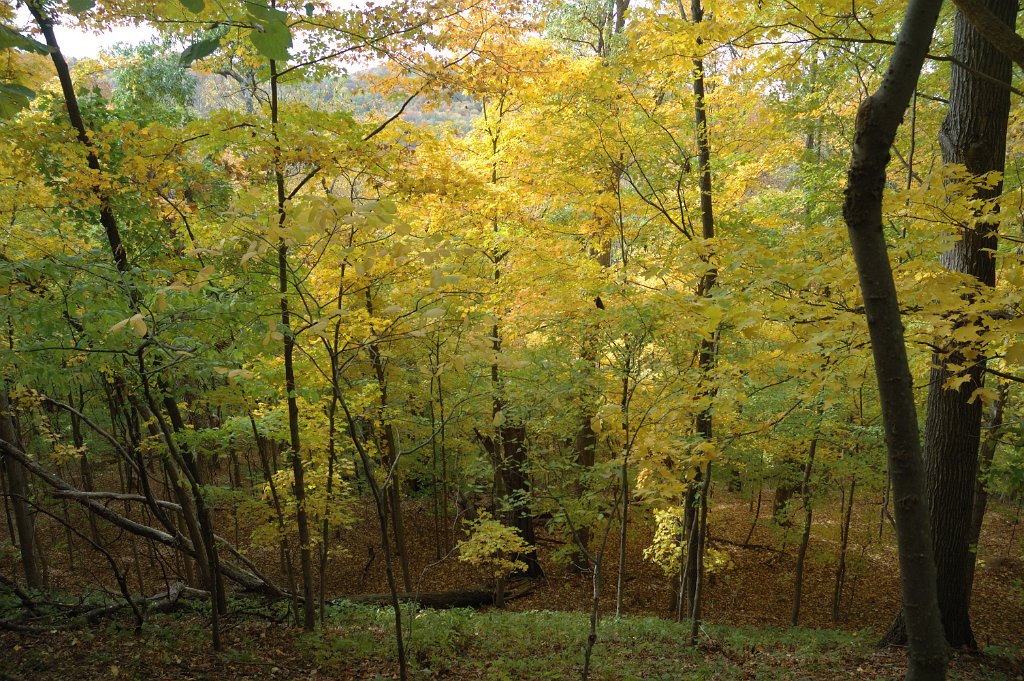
{"x": 748, "y": 610}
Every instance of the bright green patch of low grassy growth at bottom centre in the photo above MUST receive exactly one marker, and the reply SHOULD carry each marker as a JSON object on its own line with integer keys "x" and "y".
{"x": 498, "y": 646}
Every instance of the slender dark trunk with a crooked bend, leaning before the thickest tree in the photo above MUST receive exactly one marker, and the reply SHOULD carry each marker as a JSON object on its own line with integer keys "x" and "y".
{"x": 878, "y": 119}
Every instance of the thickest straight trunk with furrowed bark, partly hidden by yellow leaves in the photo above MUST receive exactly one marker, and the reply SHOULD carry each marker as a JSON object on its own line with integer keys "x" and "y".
{"x": 974, "y": 134}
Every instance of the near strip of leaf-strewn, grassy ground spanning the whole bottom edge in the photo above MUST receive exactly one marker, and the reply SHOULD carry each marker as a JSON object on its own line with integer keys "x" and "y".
{"x": 358, "y": 643}
